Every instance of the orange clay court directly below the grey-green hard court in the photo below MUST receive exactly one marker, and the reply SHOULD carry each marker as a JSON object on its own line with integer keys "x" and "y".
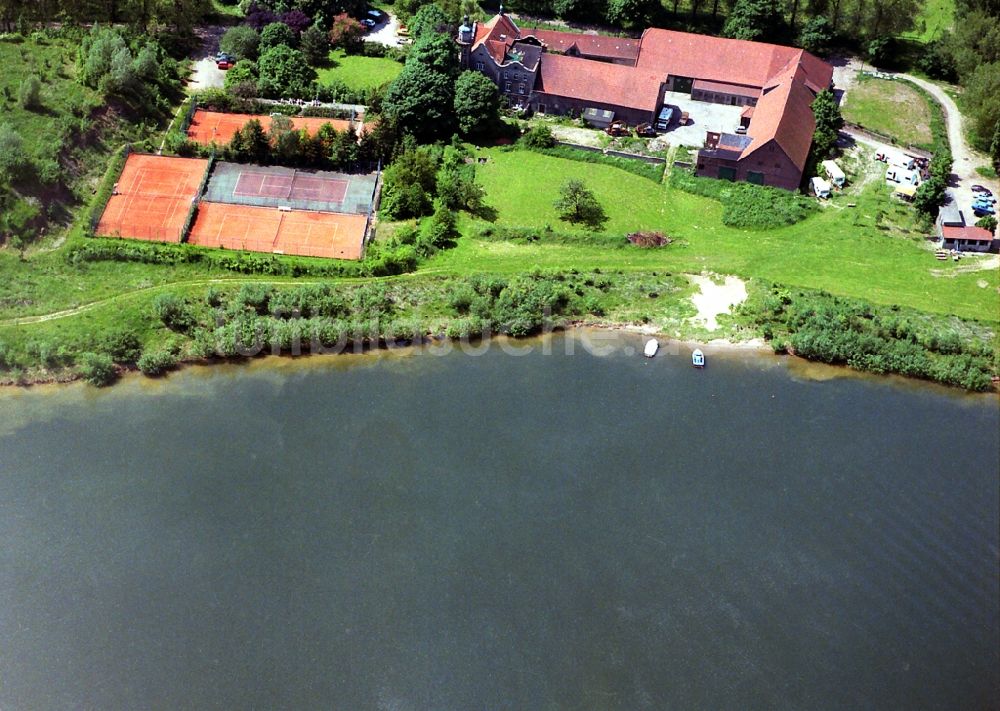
{"x": 272, "y": 230}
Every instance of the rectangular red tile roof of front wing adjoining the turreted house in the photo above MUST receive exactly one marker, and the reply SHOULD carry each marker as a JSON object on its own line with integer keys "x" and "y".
{"x": 599, "y": 82}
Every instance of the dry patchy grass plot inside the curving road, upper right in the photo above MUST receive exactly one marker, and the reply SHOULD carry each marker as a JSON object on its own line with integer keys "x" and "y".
{"x": 892, "y": 108}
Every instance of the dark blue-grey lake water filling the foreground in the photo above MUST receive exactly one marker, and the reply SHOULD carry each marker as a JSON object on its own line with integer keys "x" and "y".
{"x": 500, "y": 532}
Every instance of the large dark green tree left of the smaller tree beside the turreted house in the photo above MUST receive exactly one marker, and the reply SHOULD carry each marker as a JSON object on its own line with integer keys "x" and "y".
{"x": 421, "y": 101}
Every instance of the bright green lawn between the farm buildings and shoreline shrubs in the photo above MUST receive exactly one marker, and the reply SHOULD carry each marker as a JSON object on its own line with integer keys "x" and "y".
{"x": 841, "y": 249}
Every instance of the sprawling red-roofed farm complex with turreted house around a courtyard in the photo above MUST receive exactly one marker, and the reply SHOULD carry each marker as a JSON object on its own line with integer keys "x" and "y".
{"x": 562, "y": 72}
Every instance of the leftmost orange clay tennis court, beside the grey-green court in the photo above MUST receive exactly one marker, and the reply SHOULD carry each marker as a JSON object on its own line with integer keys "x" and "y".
{"x": 152, "y": 198}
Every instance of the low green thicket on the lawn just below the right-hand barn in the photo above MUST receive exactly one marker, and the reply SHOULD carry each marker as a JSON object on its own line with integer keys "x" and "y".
{"x": 747, "y": 205}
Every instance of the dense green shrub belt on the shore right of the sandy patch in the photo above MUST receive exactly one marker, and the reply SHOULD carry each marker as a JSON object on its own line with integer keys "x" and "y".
{"x": 818, "y": 326}
